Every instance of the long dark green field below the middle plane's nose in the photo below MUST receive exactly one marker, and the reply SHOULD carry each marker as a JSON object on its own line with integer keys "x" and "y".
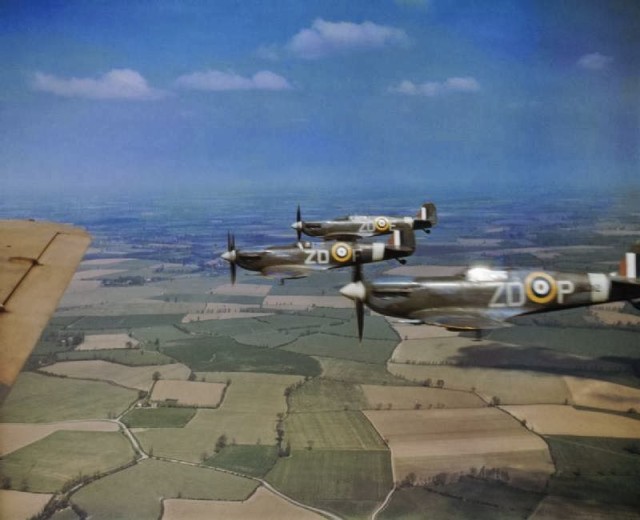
{"x": 224, "y": 354}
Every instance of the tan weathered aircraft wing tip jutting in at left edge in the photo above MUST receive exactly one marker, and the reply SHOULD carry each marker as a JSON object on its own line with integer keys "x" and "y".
{"x": 37, "y": 261}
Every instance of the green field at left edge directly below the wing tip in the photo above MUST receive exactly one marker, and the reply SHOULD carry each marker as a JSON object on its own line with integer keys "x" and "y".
{"x": 39, "y": 398}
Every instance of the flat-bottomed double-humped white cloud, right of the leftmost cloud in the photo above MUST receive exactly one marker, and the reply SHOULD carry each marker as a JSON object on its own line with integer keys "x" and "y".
{"x": 216, "y": 80}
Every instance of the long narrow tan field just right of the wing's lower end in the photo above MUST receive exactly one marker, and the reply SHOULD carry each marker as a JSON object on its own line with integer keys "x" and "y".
{"x": 139, "y": 378}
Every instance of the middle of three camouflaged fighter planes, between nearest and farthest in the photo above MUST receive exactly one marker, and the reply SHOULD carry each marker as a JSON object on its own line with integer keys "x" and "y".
{"x": 303, "y": 258}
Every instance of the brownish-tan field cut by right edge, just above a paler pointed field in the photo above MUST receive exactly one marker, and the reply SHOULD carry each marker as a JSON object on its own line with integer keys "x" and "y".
{"x": 602, "y": 394}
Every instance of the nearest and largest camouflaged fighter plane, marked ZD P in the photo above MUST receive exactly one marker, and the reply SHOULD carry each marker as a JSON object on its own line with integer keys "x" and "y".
{"x": 483, "y": 298}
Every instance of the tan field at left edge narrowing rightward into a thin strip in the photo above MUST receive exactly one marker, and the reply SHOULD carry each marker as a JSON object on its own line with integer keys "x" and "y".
{"x": 14, "y": 436}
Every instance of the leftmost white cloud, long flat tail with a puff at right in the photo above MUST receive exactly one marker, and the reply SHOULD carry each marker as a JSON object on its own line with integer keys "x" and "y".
{"x": 115, "y": 84}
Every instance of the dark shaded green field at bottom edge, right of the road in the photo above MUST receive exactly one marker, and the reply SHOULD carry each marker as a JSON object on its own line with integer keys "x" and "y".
{"x": 470, "y": 498}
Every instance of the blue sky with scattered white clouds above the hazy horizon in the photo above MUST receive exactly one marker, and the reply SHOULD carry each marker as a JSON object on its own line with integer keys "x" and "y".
{"x": 408, "y": 92}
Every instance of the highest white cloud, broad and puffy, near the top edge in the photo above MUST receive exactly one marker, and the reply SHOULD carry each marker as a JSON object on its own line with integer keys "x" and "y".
{"x": 324, "y": 38}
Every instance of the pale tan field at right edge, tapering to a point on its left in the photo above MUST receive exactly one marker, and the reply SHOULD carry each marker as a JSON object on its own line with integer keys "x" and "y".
{"x": 549, "y": 419}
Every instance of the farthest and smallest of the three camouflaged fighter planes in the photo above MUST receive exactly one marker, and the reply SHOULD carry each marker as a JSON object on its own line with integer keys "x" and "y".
{"x": 355, "y": 227}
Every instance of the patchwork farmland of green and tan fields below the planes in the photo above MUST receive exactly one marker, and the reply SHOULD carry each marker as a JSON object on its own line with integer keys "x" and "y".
{"x": 158, "y": 390}
